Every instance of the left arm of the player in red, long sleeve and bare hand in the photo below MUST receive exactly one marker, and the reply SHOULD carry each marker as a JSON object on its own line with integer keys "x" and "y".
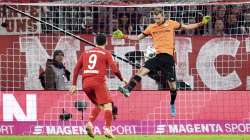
{"x": 77, "y": 69}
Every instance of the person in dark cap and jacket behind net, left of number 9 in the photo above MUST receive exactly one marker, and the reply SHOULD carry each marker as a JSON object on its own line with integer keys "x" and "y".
{"x": 56, "y": 76}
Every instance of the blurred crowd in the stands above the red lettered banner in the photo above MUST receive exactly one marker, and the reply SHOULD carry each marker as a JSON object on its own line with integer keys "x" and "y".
{"x": 227, "y": 19}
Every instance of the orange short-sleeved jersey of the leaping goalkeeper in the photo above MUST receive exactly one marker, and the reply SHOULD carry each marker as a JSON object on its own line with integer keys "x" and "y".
{"x": 163, "y": 36}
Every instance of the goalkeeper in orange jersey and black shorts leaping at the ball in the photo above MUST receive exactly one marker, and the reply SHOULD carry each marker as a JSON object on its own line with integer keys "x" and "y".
{"x": 162, "y": 33}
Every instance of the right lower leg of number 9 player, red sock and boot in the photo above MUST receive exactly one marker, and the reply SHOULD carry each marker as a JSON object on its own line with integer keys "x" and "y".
{"x": 108, "y": 120}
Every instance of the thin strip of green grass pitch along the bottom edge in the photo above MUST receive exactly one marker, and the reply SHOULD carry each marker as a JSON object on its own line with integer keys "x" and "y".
{"x": 132, "y": 137}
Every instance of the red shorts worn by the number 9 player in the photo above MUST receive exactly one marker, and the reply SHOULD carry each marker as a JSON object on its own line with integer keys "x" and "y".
{"x": 96, "y": 90}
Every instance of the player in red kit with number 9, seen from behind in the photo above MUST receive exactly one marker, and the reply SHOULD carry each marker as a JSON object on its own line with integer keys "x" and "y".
{"x": 93, "y": 64}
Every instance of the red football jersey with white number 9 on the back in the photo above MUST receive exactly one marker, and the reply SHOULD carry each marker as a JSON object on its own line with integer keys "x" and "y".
{"x": 94, "y": 63}
